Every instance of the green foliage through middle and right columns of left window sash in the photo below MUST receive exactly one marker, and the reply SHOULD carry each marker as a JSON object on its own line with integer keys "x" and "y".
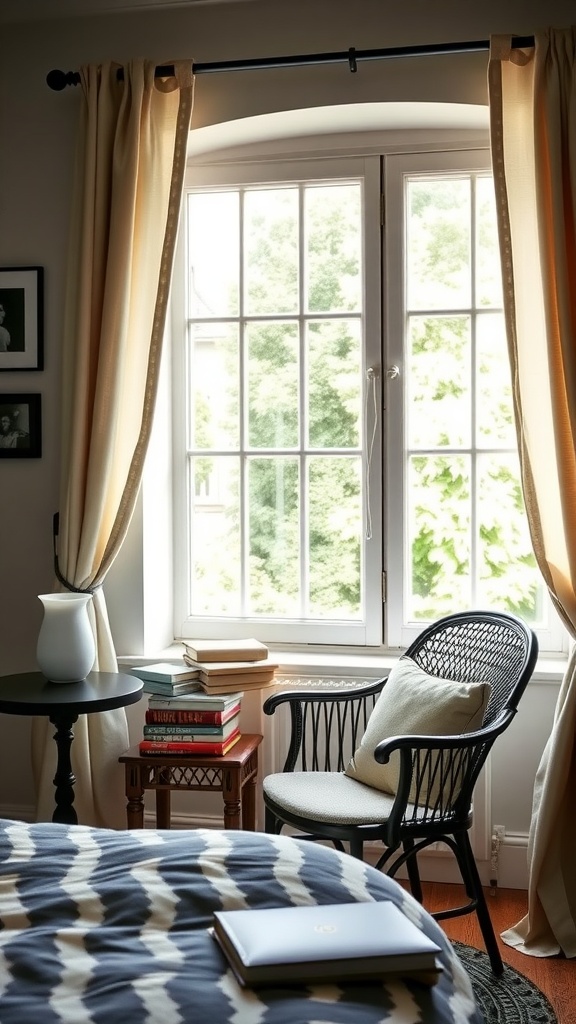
{"x": 332, "y": 406}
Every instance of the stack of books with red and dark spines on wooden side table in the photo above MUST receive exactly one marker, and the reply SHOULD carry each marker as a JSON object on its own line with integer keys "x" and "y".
{"x": 192, "y": 723}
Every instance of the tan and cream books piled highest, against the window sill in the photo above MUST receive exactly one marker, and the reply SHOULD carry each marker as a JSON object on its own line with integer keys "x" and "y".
{"x": 225, "y": 666}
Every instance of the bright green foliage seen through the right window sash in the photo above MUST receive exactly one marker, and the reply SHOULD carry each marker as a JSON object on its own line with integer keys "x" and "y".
{"x": 444, "y": 413}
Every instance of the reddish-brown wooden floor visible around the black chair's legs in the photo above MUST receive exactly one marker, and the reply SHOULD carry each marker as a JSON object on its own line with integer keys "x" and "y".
{"x": 554, "y": 976}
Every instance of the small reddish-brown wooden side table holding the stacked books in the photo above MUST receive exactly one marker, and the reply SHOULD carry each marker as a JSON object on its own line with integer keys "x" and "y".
{"x": 234, "y": 776}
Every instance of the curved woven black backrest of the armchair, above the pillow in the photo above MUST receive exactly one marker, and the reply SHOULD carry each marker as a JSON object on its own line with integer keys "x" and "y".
{"x": 480, "y": 647}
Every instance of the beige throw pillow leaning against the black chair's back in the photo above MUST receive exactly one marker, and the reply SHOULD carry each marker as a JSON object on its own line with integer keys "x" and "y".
{"x": 414, "y": 703}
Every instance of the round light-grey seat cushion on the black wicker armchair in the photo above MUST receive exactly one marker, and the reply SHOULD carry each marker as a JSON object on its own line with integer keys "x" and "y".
{"x": 327, "y": 797}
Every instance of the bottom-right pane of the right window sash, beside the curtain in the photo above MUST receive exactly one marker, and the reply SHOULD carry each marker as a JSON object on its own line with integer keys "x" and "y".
{"x": 508, "y": 577}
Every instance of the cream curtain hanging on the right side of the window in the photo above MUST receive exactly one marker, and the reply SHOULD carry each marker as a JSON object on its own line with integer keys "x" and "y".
{"x": 533, "y": 139}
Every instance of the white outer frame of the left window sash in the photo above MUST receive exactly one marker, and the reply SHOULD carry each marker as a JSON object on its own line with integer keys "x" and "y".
{"x": 368, "y": 631}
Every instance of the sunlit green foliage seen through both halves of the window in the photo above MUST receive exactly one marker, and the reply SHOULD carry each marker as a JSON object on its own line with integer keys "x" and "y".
{"x": 304, "y": 545}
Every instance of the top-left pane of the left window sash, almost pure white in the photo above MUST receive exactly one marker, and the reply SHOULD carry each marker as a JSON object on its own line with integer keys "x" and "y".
{"x": 214, "y": 254}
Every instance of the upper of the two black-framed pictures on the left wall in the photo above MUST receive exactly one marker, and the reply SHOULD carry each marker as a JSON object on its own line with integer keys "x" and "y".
{"x": 22, "y": 318}
